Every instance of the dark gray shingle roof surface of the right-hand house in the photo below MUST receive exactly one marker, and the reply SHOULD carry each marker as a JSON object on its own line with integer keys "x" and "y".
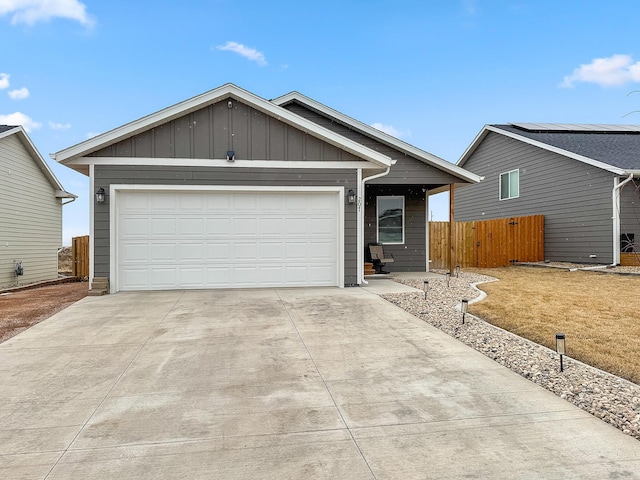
{"x": 619, "y": 149}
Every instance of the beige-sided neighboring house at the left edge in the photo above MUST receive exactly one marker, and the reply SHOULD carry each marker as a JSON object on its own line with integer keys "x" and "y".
{"x": 31, "y": 200}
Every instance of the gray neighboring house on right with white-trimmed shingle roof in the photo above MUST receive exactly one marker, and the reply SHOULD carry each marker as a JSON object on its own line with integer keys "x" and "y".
{"x": 583, "y": 178}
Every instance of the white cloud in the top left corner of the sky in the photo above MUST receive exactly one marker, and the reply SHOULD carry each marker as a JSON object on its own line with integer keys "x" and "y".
{"x": 34, "y": 11}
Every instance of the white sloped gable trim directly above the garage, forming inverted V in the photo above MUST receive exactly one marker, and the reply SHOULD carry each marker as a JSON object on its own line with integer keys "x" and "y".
{"x": 207, "y": 98}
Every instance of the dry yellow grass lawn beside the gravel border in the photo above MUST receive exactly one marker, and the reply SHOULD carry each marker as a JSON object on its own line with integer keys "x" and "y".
{"x": 598, "y": 313}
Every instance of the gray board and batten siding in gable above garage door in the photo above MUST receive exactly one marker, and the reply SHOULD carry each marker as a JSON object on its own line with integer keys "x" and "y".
{"x": 210, "y": 132}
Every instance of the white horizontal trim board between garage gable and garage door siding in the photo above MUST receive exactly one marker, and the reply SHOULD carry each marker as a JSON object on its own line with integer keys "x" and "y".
{"x": 206, "y": 162}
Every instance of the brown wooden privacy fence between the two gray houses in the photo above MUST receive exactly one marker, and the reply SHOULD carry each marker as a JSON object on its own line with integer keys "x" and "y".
{"x": 488, "y": 243}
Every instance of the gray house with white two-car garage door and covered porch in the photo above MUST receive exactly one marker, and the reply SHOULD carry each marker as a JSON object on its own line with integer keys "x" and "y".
{"x": 229, "y": 190}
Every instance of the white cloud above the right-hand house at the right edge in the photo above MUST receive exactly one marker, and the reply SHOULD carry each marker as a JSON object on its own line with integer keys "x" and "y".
{"x": 607, "y": 72}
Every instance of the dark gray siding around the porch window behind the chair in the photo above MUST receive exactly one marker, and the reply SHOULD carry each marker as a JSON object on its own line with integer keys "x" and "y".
{"x": 410, "y": 256}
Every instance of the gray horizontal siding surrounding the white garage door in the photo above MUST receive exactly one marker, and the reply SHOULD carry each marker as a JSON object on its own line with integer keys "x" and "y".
{"x": 225, "y": 176}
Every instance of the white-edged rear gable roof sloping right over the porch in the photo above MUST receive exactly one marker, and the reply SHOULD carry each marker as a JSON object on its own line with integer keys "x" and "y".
{"x": 378, "y": 135}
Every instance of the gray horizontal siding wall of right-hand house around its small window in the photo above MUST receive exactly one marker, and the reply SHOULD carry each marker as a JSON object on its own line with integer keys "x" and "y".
{"x": 574, "y": 197}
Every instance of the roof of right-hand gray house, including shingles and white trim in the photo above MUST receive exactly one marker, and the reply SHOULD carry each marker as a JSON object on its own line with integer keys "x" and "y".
{"x": 615, "y": 148}
